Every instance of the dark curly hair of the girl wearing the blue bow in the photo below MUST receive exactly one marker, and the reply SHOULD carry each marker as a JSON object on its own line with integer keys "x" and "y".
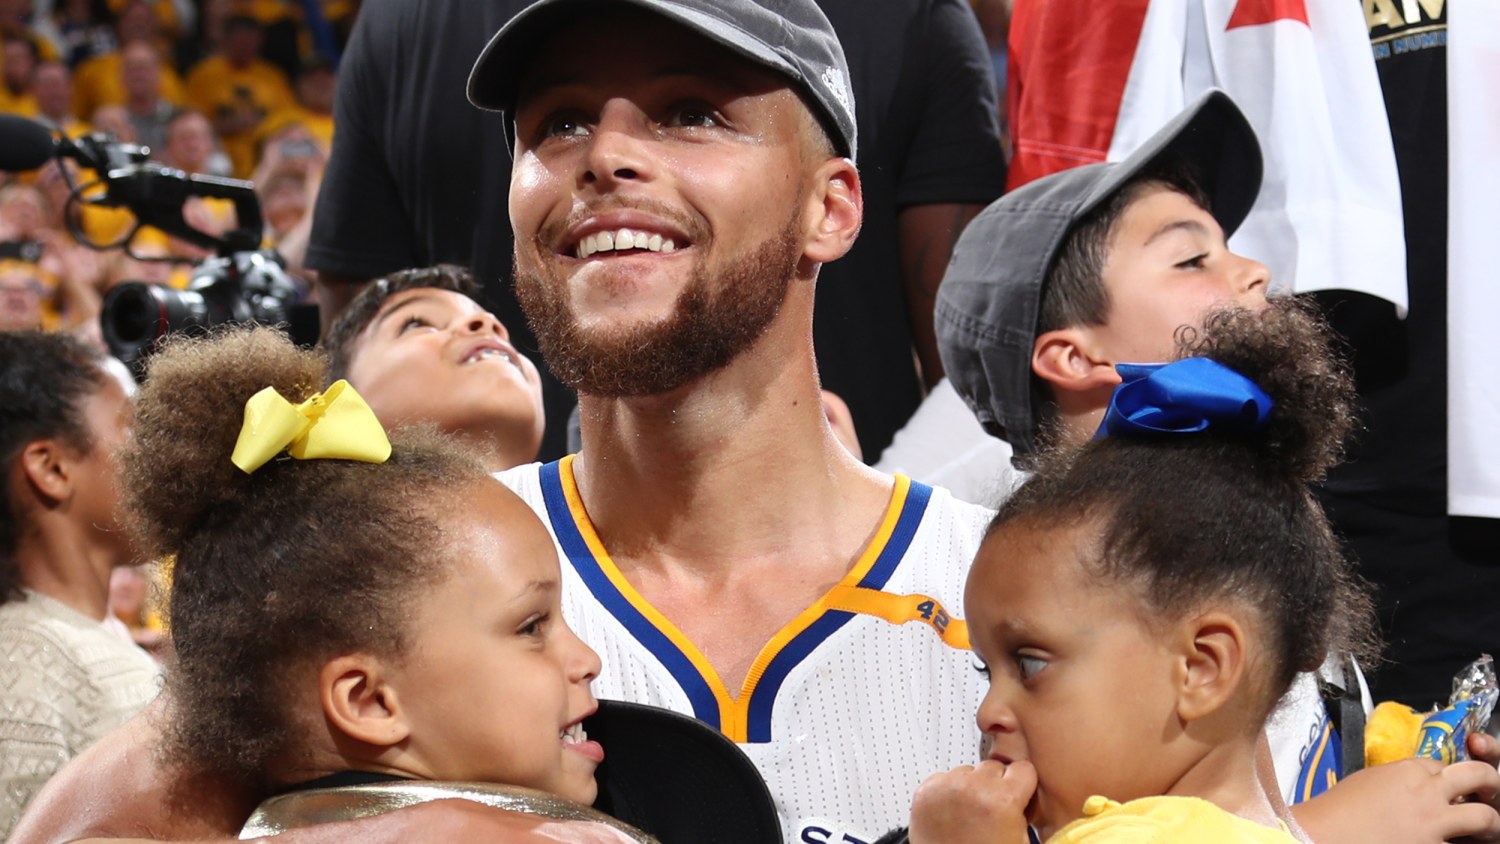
{"x": 1192, "y": 519}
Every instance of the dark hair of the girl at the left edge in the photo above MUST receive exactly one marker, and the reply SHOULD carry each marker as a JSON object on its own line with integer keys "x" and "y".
{"x": 44, "y": 383}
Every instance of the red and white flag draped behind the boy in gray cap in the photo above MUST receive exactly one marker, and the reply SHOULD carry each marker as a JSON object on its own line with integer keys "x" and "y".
{"x": 1094, "y": 80}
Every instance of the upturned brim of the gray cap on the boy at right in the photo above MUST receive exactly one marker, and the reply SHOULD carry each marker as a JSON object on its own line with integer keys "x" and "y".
{"x": 1217, "y": 145}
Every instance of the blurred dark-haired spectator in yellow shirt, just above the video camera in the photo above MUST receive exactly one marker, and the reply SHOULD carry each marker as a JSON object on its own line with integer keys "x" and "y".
{"x": 238, "y": 91}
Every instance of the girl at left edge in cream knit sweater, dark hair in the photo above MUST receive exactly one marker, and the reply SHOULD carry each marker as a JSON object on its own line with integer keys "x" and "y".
{"x": 65, "y": 677}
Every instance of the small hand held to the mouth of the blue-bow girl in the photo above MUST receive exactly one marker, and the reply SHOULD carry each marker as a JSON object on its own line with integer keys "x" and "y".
{"x": 974, "y": 804}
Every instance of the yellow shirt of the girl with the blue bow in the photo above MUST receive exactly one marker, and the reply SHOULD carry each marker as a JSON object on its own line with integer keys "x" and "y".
{"x": 1165, "y": 821}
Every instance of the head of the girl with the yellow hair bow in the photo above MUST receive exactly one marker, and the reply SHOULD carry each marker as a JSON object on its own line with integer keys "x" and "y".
{"x": 347, "y": 608}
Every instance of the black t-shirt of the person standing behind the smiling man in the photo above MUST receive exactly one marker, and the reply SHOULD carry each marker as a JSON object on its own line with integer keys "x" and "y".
{"x": 419, "y": 176}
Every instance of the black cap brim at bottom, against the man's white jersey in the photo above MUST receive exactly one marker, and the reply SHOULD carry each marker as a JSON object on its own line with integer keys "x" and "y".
{"x": 679, "y": 779}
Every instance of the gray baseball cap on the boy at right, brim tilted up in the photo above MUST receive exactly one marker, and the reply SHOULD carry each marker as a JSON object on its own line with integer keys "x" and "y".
{"x": 991, "y": 296}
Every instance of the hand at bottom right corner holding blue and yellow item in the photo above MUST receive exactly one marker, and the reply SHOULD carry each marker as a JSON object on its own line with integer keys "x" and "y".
{"x": 1412, "y": 801}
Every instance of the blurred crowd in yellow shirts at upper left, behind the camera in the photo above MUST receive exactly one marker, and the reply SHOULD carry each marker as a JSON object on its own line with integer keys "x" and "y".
{"x": 221, "y": 88}
